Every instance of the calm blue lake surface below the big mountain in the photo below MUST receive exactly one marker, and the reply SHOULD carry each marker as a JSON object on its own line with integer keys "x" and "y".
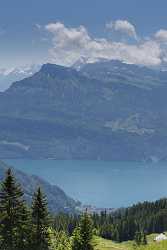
{"x": 103, "y": 184}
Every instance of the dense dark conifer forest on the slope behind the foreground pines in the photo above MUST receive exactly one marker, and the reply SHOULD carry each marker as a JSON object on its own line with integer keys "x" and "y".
{"x": 124, "y": 224}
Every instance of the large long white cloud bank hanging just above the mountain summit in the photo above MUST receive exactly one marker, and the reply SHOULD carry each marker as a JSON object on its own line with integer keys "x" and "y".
{"x": 71, "y": 44}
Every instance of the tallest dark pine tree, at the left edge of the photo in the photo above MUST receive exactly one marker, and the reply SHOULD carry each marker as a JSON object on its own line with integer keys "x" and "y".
{"x": 14, "y": 215}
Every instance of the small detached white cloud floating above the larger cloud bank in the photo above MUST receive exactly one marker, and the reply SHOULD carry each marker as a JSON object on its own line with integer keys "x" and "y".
{"x": 124, "y": 27}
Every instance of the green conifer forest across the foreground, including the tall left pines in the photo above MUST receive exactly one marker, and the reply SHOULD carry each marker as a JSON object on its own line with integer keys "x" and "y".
{"x": 24, "y": 226}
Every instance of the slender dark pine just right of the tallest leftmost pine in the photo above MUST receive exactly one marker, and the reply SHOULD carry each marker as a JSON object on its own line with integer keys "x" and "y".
{"x": 41, "y": 239}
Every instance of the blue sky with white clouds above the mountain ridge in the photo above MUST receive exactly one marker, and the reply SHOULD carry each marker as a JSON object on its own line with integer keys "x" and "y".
{"x": 63, "y": 31}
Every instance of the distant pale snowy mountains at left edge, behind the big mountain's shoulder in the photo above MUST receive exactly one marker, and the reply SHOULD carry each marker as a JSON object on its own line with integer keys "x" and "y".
{"x": 8, "y": 76}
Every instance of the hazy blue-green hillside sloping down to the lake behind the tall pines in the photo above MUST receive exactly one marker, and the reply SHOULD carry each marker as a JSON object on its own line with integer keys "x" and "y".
{"x": 58, "y": 201}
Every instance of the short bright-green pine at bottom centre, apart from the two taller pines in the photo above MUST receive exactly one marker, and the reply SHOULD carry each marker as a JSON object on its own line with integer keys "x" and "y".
{"x": 82, "y": 238}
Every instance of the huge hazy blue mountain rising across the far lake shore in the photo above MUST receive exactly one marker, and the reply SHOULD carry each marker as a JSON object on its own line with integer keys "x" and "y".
{"x": 106, "y": 110}
